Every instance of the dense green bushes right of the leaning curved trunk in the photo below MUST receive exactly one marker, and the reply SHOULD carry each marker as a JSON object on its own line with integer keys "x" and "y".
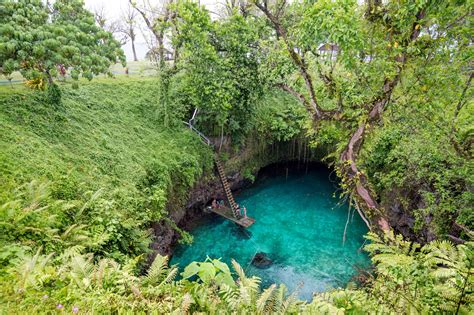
{"x": 420, "y": 157}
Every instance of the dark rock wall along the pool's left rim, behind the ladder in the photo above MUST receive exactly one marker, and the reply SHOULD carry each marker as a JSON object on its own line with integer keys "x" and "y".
{"x": 165, "y": 236}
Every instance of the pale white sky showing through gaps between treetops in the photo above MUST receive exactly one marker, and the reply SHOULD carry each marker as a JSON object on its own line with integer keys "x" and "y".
{"x": 113, "y": 9}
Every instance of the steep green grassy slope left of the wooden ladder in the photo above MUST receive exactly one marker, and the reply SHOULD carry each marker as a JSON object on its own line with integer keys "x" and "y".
{"x": 104, "y": 153}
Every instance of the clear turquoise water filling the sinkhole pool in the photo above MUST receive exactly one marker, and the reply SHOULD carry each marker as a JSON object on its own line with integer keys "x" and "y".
{"x": 299, "y": 224}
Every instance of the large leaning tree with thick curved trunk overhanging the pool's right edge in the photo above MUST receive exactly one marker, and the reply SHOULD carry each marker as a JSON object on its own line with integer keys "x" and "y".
{"x": 345, "y": 62}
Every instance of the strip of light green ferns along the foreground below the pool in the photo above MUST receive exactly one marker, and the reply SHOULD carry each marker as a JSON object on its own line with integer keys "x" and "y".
{"x": 408, "y": 279}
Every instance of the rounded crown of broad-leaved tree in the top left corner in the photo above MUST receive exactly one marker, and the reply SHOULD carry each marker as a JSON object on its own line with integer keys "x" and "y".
{"x": 42, "y": 40}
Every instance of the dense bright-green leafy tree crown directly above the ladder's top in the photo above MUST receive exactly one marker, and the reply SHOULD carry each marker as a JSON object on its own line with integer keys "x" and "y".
{"x": 220, "y": 69}
